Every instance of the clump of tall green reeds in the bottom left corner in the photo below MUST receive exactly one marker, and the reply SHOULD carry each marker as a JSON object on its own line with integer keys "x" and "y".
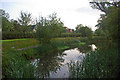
{"x": 17, "y": 68}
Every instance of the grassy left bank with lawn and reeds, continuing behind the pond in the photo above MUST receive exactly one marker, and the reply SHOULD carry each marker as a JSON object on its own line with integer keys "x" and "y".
{"x": 11, "y": 55}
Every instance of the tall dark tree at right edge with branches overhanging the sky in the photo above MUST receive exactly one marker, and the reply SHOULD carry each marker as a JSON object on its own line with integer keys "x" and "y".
{"x": 109, "y": 22}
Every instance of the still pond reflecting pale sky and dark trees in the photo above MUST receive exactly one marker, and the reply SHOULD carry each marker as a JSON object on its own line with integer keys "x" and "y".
{"x": 55, "y": 65}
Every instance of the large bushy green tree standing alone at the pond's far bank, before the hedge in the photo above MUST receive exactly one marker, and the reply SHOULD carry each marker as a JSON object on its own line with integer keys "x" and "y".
{"x": 48, "y": 28}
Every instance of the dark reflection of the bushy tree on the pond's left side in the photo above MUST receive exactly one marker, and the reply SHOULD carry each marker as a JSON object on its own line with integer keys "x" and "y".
{"x": 48, "y": 62}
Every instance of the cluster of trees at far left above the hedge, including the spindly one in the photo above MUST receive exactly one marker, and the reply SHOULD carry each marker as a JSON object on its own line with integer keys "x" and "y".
{"x": 22, "y": 25}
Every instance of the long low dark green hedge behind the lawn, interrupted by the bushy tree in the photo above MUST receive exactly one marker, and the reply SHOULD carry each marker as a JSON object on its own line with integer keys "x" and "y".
{"x": 18, "y": 35}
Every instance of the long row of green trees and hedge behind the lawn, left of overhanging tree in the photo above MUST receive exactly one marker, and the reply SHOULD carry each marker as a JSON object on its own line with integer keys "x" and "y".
{"x": 23, "y": 27}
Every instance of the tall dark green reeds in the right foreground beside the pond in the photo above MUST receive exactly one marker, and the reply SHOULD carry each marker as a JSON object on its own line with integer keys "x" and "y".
{"x": 98, "y": 64}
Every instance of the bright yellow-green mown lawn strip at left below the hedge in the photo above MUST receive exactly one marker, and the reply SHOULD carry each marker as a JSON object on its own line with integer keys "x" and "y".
{"x": 18, "y": 43}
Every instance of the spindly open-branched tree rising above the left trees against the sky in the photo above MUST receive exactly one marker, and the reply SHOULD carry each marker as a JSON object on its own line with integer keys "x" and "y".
{"x": 25, "y": 20}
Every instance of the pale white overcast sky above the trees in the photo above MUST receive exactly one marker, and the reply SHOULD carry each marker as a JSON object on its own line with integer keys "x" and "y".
{"x": 71, "y": 12}
